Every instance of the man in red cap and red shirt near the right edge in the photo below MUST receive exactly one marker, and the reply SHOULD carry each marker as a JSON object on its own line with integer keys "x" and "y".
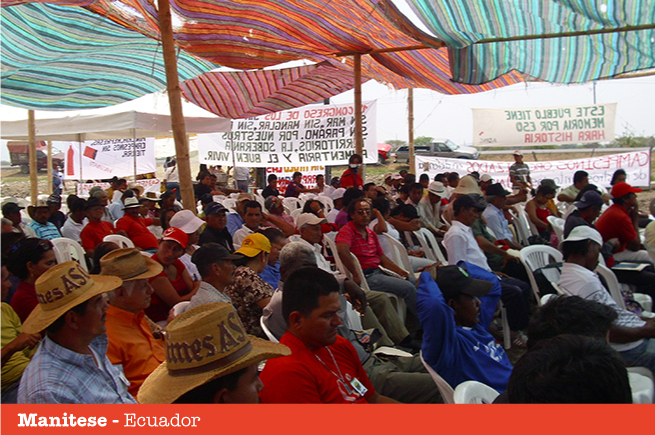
{"x": 620, "y": 222}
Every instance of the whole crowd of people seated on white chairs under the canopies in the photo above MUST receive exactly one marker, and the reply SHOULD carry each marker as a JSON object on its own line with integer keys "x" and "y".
{"x": 289, "y": 270}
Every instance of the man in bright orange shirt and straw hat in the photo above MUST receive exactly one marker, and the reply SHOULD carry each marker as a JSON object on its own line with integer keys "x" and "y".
{"x": 132, "y": 343}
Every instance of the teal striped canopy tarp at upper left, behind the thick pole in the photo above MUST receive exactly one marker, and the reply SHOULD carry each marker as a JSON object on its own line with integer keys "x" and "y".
{"x": 62, "y": 58}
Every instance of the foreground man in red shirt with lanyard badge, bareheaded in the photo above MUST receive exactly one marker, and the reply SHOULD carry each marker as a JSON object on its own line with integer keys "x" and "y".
{"x": 323, "y": 366}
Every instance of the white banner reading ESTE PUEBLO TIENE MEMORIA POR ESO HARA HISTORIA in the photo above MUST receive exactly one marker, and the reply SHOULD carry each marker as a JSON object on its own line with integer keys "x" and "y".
{"x": 544, "y": 125}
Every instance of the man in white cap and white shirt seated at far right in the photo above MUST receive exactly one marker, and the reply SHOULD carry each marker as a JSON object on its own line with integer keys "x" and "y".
{"x": 632, "y": 336}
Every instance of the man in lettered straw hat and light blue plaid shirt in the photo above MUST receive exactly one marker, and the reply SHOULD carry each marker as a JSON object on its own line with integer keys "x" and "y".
{"x": 71, "y": 365}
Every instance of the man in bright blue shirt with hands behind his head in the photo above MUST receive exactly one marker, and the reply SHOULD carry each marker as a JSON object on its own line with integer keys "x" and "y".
{"x": 455, "y": 313}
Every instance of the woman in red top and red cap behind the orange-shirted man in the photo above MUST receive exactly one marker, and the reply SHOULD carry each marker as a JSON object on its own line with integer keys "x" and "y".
{"x": 173, "y": 284}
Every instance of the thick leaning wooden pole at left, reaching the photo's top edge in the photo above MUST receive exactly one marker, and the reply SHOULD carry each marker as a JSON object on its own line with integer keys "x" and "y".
{"x": 175, "y": 102}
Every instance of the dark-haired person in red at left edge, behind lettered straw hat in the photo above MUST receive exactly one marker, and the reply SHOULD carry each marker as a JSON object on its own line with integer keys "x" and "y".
{"x": 28, "y": 260}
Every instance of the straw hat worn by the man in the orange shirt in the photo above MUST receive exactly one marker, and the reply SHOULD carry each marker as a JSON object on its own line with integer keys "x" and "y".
{"x": 129, "y": 264}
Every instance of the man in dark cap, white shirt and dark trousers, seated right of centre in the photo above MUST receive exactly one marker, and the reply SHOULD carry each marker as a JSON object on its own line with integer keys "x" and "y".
{"x": 461, "y": 245}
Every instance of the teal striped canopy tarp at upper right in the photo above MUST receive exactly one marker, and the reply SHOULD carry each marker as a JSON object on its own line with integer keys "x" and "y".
{"x": 570, "y": 41}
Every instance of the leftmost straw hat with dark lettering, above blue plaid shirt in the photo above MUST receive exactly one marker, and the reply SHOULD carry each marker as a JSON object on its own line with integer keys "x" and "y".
{"x": 61, "y": 288}
